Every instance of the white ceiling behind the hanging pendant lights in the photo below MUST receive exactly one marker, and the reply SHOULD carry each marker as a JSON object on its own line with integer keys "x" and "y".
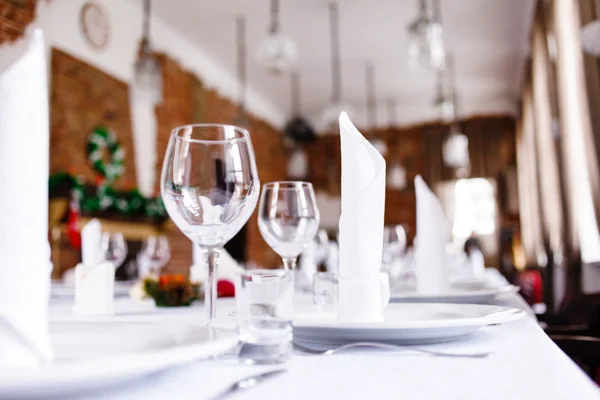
{"x": 489, "y": 40}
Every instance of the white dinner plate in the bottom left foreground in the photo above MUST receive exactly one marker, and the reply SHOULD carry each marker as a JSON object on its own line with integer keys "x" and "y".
{"x": 94, "y": 353}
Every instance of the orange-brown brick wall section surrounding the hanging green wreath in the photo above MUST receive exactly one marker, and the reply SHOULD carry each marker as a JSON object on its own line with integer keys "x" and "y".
{"x": 82, "y": 99}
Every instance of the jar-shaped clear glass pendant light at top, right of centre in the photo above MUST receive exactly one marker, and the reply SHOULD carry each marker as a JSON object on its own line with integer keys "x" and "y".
{"x": 426, "y": 38}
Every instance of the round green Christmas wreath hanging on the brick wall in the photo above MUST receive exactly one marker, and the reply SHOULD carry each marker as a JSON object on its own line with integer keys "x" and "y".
{"x": 103, "y": 140}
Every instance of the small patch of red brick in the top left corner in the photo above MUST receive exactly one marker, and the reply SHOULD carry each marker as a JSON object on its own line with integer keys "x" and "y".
{"x": 14, "y": 18}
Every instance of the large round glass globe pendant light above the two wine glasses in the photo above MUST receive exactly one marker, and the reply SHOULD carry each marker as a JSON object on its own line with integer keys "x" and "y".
{"x": 277, "y": 52}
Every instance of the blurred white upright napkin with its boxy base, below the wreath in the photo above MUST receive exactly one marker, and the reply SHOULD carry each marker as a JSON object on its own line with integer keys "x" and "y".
{"x": 94, "y": 277}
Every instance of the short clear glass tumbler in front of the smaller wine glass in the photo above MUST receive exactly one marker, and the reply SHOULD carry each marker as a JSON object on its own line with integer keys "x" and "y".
{"x": 265, "y": 308}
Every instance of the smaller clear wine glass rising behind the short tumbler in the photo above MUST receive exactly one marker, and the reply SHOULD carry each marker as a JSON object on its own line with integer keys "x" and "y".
{"x": 288, "y": 218}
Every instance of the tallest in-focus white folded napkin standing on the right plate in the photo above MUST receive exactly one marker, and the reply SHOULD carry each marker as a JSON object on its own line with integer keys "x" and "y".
{"x": 363, "y": 291}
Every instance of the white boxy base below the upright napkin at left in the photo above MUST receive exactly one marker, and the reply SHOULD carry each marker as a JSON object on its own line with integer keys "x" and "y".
{"x": 94, "y": 289}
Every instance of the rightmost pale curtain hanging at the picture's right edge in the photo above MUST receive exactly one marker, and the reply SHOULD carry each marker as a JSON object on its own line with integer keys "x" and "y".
{"x": 581, "y": 173}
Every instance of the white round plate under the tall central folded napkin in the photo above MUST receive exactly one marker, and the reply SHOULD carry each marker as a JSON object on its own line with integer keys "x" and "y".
{"x": 405, "y": 324}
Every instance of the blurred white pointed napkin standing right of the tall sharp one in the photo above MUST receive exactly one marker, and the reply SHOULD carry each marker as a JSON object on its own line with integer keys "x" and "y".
{"x": 430, "y": 250}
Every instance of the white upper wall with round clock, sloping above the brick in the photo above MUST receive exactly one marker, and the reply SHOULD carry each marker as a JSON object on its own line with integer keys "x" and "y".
{"x": 59, "y": 20}
